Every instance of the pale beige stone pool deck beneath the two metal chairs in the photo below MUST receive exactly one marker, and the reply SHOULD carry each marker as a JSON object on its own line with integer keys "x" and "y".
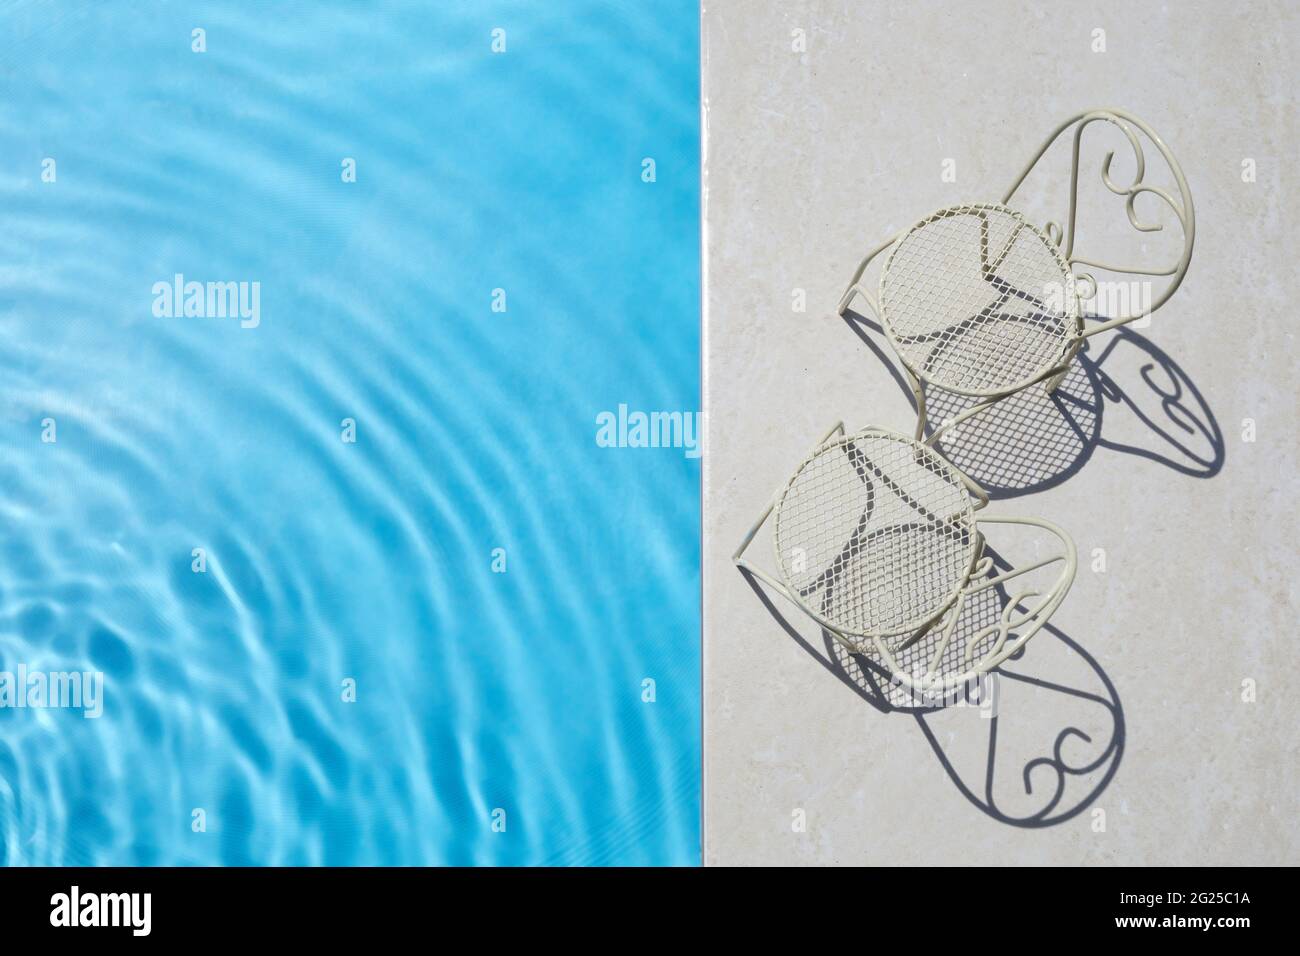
{"x": 1156, "y": 724}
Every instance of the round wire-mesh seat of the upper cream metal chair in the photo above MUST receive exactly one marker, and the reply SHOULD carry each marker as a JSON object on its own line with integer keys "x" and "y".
{"x": 977, "y": 300}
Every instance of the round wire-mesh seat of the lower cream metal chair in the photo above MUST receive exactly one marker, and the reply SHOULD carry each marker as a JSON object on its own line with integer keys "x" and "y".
{"x": 881, "y": 529}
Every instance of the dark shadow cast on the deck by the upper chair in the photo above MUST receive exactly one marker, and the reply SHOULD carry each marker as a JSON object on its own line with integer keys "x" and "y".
{"x": 1033, "y": 440}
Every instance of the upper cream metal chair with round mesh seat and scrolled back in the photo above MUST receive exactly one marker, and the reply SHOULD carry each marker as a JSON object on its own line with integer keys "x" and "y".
{"x": 980, "y": 302}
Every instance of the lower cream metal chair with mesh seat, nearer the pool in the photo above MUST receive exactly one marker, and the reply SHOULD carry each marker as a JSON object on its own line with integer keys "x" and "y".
{"x": 878, "y": 542}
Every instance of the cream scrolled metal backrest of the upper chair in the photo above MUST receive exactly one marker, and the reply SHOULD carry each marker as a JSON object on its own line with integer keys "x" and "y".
{"x": 1180, "y": 205}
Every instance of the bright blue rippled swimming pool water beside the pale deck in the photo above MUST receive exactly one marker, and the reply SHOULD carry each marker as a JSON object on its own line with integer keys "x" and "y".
{"x": 499, "y": 717}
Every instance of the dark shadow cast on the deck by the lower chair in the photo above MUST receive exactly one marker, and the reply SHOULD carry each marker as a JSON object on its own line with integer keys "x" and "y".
{"x": 873, "y": 684}
